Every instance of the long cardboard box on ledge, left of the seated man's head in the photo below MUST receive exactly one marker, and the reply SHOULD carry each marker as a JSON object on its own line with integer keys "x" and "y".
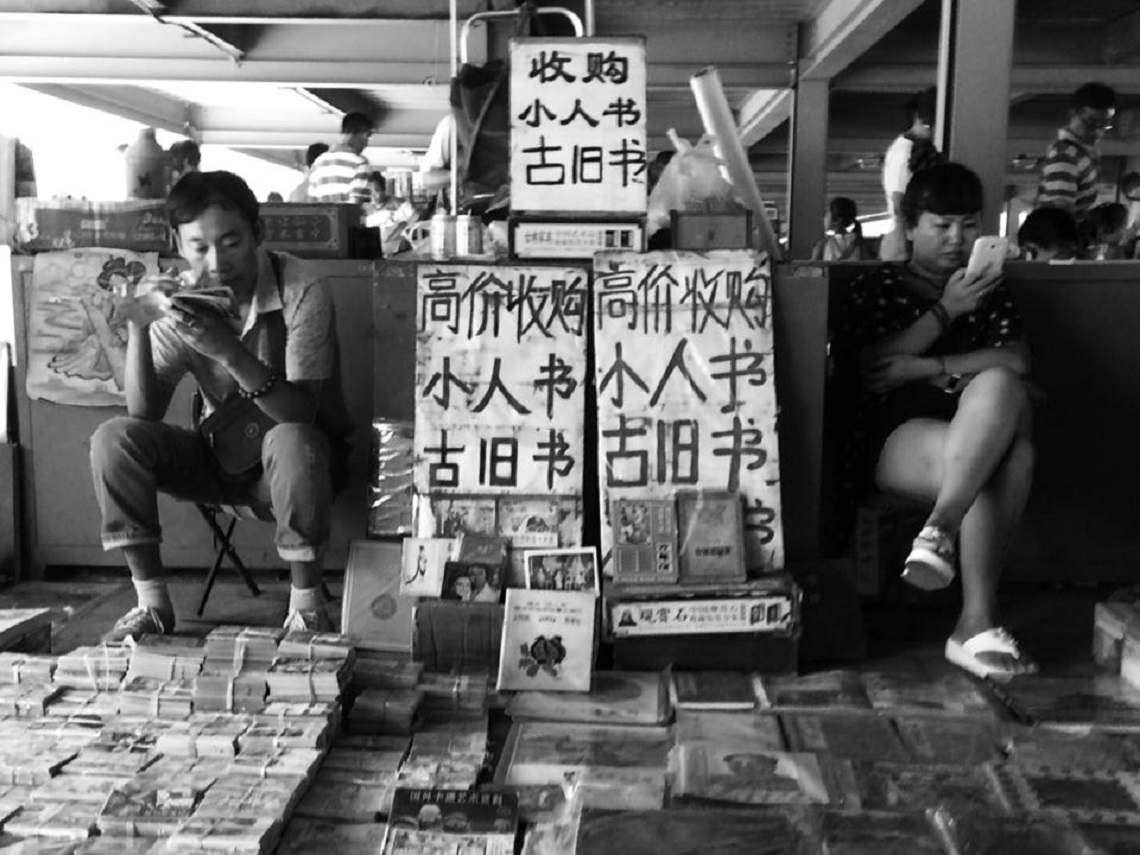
{"x": 46, "y": 225}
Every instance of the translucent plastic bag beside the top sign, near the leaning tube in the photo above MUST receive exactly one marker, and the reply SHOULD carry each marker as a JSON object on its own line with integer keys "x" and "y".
{"x": 693, "y": 182}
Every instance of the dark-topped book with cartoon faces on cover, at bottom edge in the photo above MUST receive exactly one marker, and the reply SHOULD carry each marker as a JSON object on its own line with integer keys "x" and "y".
{"x": 429, "y": 821}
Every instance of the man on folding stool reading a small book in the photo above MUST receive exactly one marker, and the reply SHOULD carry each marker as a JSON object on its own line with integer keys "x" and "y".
{"x": 258, "y": 332}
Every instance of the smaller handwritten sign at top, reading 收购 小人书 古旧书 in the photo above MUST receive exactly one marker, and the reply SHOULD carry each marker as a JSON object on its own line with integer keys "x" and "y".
{"x": 579, "y": 126}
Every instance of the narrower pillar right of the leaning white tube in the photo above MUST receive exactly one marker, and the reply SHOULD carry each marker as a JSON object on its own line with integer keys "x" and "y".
{"x": 808, "y": 186}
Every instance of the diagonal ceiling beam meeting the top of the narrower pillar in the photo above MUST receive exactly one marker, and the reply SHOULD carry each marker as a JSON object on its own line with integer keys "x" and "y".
{"x": 844, "y": 30}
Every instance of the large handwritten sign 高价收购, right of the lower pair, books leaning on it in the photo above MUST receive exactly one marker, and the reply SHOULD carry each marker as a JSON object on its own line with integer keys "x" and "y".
{"x": 687, "y": 386}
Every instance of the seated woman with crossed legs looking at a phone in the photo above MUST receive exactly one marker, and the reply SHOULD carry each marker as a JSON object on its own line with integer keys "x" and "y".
{"x": 944, "y": 414}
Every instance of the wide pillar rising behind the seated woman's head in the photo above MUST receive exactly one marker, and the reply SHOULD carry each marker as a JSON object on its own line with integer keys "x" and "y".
{"x": 976, "y": 59}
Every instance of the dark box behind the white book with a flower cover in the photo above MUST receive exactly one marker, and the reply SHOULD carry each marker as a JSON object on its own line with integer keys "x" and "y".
{"x": 451, "y": 636}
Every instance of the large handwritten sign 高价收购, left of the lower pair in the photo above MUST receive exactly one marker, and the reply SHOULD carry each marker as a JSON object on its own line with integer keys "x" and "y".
{"x": 501, "y": 372}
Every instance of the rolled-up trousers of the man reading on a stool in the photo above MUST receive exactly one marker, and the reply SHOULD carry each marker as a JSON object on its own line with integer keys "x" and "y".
{"x": 133, "y": 460}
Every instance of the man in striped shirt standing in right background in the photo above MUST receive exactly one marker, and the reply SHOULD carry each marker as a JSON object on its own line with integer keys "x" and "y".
{"x": 1072, "y": 165}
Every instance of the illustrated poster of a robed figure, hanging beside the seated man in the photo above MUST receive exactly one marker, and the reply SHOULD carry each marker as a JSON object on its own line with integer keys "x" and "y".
{"x": 77, "y": 335}
